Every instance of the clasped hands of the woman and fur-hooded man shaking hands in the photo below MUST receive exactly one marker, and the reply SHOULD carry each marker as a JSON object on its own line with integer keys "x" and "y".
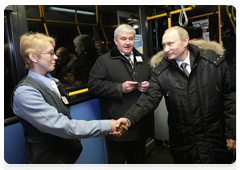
{"x": 119, "y": 127}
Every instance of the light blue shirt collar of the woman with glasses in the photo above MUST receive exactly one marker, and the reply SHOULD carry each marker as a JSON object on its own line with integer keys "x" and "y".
{"x": 44, "y": 80}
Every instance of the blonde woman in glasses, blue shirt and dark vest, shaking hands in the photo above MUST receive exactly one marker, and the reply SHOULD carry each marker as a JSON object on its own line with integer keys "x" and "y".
{"x": 40, "y": 103}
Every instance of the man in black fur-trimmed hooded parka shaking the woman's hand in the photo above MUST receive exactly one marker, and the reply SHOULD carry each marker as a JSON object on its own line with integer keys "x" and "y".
{"x": 201, "y": 100}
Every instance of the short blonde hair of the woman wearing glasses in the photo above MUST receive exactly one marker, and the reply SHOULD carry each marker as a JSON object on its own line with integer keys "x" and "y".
{"x": 33, "y": 43}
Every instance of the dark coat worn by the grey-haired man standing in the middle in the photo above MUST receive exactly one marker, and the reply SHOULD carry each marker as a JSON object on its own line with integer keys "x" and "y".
{"x": 108, "y": 74}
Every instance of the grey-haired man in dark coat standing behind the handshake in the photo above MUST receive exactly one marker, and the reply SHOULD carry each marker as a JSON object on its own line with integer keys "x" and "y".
{"x": 118, "y": 85}
